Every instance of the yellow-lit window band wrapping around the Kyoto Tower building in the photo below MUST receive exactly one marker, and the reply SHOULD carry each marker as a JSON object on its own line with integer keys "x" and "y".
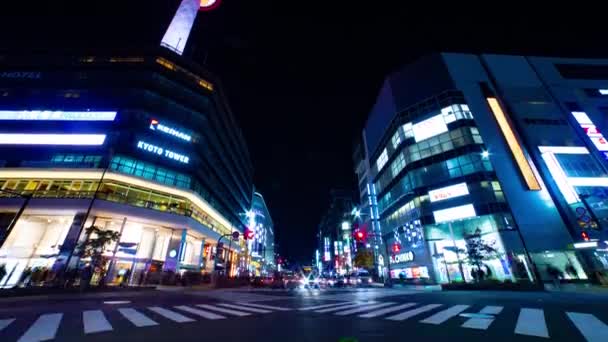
{"x": 111, "y": 191}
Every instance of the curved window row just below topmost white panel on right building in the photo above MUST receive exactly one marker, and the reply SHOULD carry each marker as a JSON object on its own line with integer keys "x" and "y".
{"x": 439, "y": 144}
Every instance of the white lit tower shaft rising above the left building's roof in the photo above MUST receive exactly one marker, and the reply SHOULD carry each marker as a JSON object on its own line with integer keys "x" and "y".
{"x": 177, "y": 34}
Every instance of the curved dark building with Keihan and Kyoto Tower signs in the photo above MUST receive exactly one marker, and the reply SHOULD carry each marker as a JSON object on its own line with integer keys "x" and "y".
{"x": 141, "y": 143}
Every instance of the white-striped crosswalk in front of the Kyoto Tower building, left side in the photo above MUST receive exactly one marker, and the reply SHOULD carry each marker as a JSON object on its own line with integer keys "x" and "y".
{"x": 46, "y": 326}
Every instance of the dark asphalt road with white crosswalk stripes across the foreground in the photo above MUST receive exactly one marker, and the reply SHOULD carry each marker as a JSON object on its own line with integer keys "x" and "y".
{"x": 310, "y": 315}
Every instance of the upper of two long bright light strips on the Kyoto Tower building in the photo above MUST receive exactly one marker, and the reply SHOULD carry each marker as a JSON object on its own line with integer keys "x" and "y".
{"x": 58, "y": 115}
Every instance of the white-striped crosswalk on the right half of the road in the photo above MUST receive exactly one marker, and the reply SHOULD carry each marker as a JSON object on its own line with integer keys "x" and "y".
{"x": 530, "y": 321}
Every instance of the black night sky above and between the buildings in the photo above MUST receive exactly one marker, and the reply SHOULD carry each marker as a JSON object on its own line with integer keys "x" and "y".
{"x": 301, "y": 77}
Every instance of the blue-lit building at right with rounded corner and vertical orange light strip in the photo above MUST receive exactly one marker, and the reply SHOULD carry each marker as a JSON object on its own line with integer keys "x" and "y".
{"x": 493, "y": 151}
